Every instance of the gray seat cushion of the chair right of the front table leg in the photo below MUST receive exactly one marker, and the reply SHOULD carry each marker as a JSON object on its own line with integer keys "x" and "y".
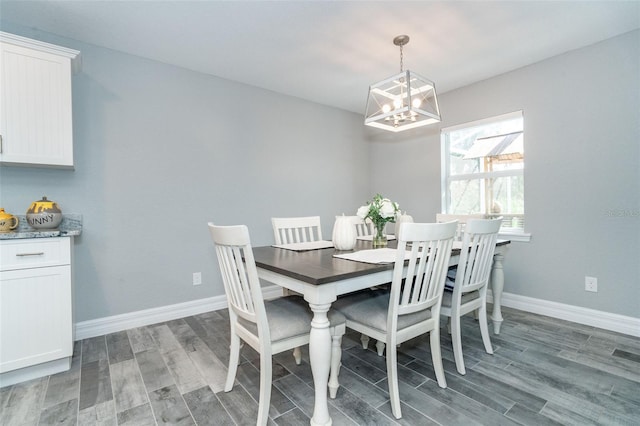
{"x": 371, "y": 309}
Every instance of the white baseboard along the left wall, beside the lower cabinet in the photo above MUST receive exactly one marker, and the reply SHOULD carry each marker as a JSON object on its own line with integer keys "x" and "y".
{"x": 102, "y": 326}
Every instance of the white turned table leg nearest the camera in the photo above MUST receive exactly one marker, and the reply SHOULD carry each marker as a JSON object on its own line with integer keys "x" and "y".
{"x": 320, "y": 358}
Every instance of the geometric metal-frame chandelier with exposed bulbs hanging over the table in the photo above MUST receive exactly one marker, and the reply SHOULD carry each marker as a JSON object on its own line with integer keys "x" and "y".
{"x": 403, "y": 101}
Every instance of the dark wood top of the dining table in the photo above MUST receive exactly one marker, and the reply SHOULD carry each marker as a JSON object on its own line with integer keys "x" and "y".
{"x": 319, "y": 266}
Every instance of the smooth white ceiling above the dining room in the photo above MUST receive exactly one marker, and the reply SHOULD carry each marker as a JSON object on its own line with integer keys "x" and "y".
{"x": 330, "y": 51}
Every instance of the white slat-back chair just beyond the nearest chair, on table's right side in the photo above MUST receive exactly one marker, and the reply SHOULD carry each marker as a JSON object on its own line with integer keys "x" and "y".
{"x": 469, "y": 292}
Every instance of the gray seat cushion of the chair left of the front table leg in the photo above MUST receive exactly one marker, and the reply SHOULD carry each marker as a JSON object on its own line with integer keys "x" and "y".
{"x": 289, "y": 317}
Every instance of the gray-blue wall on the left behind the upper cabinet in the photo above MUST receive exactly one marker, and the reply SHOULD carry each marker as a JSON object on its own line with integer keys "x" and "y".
{"x": 160, "y": 151}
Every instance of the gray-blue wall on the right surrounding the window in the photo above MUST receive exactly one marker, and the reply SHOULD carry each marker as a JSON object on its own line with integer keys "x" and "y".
{"x": 582, "y": 173}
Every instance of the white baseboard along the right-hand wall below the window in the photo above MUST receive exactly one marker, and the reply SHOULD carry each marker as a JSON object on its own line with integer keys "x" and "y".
{"x": 600, "y": 319}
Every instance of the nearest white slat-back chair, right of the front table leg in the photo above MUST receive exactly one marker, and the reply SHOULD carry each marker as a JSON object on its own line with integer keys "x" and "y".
{"x": 412, "y": 305}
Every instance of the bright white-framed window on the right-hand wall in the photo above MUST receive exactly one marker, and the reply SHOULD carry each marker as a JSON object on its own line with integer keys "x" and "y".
{"x": 483, "y": 170}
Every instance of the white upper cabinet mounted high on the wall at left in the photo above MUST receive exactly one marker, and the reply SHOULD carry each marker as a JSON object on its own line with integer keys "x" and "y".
{"x": 35, "y": 102}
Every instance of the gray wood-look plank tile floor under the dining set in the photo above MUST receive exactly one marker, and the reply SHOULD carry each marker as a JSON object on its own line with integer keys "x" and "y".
{"x": 544, "y": 371}
